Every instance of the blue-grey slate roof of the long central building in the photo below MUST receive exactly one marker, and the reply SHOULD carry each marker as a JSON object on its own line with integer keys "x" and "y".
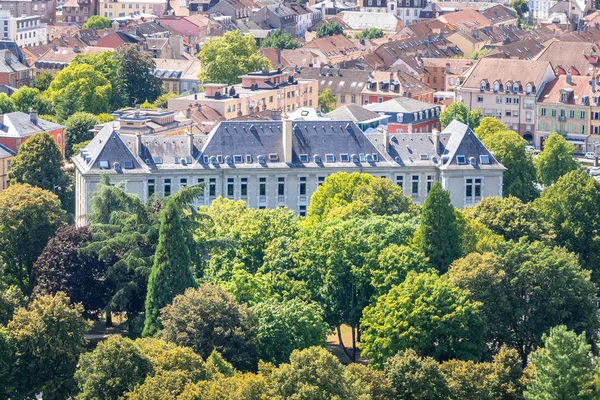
{"x": 252, "y": 145}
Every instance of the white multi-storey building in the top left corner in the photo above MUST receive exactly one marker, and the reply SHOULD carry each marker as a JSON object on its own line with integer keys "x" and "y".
{"x": 26, "y": 31}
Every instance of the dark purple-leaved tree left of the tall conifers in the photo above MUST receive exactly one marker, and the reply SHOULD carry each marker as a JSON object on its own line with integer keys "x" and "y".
{"x": 63, "y": 267}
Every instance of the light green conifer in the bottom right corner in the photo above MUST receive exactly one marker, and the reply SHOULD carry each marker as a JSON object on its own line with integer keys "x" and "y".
{"x": 564, "y": 367}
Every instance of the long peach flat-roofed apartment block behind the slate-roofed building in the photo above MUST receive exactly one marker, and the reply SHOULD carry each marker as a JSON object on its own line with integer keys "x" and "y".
{"x": 259, "y": 91}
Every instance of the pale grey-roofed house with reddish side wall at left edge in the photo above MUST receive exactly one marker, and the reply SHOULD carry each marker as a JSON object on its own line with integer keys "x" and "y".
{"x": 17, "y": 127}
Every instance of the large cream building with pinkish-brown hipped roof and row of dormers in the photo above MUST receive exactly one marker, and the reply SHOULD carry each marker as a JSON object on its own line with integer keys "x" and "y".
{"x": 507, "y": 90}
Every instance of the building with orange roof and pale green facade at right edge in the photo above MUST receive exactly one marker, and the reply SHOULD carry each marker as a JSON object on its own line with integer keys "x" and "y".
{"x": 564, "y": 107}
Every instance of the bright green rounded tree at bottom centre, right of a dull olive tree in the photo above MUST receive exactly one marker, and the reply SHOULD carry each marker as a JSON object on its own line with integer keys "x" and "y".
{"x": 284, "y": 326}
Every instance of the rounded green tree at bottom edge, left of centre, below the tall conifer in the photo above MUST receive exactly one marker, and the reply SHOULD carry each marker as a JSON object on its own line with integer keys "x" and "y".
{"x": 115, "y": 367}
